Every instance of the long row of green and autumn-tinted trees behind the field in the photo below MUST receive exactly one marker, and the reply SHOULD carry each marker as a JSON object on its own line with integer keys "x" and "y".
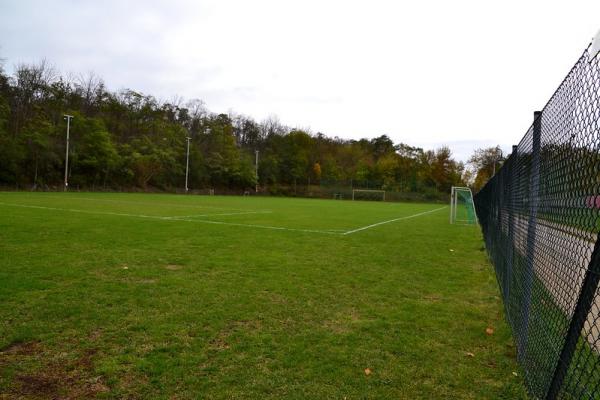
{"x": 127, "y": 139}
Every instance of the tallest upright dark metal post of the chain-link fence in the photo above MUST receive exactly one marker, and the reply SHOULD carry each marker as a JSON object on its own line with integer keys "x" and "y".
{"x": 531, "y": 226}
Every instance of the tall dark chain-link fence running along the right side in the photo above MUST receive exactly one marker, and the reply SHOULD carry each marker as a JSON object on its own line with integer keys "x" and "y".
{"x": 540, "y": 216}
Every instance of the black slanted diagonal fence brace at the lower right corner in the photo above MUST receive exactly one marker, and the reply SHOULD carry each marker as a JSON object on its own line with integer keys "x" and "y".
{"x": 583, "y": 307}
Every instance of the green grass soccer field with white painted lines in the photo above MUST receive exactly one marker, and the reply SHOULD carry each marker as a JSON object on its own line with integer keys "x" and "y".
{"x": 183, "y": 297}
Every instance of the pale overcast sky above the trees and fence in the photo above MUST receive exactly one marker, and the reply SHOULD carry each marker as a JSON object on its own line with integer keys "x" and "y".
{"x": 466, "y": 74}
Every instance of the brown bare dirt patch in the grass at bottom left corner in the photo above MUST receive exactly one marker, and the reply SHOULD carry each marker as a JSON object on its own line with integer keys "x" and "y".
{"x": 53, "y": 377}
